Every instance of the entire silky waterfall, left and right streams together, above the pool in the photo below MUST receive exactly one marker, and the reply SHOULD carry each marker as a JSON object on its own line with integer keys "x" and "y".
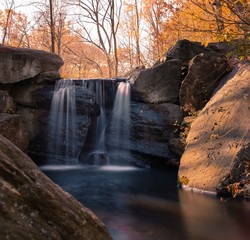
{"x": 109, "y": 132}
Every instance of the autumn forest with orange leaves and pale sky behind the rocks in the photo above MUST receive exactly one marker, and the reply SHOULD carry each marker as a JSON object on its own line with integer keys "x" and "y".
{"x": 108, "y": 38}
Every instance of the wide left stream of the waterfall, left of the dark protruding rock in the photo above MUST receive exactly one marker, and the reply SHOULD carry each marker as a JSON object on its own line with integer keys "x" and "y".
{"x": 63, "y": 142}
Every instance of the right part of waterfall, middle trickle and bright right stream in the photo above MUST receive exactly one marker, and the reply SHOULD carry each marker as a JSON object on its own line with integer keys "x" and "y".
{"x": 109, "y": 132}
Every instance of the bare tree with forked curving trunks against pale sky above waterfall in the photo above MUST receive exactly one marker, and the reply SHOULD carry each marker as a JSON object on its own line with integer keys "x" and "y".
{"x": 99, "y": 21}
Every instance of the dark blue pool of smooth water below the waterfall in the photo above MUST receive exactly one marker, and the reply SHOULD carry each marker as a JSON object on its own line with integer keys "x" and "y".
{"x": 145, "y": 204}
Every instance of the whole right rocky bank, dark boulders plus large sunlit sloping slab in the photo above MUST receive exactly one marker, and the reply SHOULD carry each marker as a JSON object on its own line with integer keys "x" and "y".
{"x": 205, "y": 96}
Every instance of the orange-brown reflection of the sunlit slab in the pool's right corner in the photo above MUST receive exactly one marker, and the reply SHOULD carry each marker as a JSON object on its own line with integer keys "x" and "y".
{"x": 207, "y": 217}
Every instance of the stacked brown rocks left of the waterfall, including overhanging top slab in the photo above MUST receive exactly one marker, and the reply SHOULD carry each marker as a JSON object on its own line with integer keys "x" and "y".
{"x": 27, "y": 79}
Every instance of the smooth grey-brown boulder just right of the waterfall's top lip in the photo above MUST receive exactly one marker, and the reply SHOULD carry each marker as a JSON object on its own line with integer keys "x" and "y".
{"x": 159, "y": 84}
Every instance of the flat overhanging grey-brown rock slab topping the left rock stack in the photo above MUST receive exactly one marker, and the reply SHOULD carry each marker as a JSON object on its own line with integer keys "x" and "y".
{"x": 17, "y": 64}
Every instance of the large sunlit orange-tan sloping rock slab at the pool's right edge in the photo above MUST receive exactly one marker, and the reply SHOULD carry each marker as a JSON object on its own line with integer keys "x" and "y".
{"x": 219, "y": 134}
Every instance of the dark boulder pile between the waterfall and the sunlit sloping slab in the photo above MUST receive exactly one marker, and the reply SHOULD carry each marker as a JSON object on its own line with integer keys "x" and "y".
{"x": 178, "y": 85}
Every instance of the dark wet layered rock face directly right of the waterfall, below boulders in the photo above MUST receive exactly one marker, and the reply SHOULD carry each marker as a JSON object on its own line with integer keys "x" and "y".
{"x": 150, "y": 134}
